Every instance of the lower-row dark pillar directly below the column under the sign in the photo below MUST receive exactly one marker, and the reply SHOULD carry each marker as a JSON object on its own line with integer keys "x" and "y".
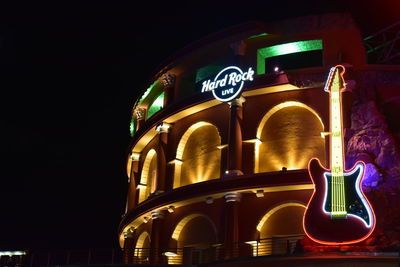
{"x": 232, "y": 200}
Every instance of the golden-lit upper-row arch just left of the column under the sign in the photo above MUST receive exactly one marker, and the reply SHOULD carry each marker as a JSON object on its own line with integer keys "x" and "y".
{"x": 198, "y": 157}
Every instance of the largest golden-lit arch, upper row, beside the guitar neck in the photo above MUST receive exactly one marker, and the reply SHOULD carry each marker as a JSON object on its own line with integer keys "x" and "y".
{"x": 288, "y": 135}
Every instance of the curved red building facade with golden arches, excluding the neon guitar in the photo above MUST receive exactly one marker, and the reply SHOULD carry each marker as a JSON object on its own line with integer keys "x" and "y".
{"x": 211, "y": 179}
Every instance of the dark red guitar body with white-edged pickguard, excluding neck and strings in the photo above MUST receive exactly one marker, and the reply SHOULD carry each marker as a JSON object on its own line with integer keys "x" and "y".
{"x": 318, "y": 223}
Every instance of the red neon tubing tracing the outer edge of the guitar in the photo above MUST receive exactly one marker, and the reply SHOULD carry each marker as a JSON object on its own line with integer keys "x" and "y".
{"x": 329, "y": 170}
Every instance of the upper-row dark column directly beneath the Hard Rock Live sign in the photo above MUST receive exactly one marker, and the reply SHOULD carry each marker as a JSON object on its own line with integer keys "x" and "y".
{"x": 234, "y": 164}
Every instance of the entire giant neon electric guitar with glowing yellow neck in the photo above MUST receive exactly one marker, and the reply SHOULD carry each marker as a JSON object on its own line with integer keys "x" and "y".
{"x": 338, "y": 211}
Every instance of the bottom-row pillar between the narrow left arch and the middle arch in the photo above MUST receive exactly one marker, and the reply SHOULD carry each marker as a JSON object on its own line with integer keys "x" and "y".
{"x": 155, "y": 239}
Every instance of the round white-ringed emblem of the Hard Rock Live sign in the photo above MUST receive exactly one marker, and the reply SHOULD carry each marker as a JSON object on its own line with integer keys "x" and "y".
{"x": 229, "y": 83}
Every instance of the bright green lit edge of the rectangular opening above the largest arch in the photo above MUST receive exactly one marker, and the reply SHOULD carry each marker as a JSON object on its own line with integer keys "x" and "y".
{"x": 284, "y": 49}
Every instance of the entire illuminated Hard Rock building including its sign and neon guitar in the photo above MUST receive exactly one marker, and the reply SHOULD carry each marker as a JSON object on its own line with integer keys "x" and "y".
{"x": 266, "y": 140}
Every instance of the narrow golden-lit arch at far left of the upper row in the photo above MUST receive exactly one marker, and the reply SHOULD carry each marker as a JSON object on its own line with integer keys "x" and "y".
{"x": 148, "y": 176}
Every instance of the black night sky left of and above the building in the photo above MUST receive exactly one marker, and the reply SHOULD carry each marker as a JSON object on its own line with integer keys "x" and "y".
{"x": 69, "y": 75}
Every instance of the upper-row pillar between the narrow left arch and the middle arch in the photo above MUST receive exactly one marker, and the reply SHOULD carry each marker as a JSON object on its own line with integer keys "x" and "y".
{"x": 162, "y": 130}
